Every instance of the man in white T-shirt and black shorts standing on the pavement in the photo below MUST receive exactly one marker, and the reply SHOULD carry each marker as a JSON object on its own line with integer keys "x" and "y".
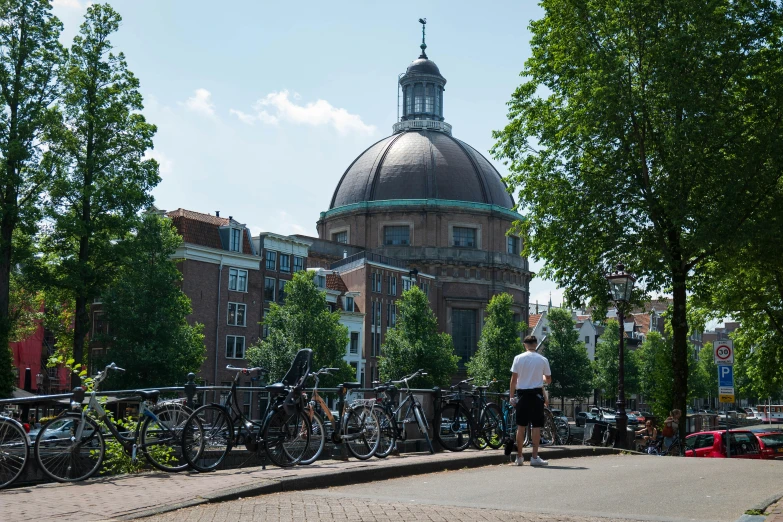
{"x": 529, "y": 372}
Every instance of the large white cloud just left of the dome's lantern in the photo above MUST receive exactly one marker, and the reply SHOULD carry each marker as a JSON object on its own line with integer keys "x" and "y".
{"x": 316, "y": 113}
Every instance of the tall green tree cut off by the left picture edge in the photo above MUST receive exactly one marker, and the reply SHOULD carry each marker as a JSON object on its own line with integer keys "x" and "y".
{"x": 30, "y": 61}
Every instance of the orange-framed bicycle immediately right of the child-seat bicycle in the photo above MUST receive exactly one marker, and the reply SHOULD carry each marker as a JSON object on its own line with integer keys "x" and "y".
{"x": 356, "y": 423}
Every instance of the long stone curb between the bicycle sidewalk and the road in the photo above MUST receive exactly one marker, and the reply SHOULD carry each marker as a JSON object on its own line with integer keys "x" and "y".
{"x": 365, "y": 474}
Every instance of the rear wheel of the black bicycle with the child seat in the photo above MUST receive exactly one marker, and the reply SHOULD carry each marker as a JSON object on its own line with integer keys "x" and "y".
{"x": 286, "y": 437}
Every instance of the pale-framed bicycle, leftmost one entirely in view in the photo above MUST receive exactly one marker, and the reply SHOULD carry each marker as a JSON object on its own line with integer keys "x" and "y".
{"x": 71, "y": 447}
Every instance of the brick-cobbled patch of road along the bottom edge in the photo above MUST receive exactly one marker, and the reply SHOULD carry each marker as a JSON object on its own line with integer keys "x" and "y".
{"x": 304, "y": 507}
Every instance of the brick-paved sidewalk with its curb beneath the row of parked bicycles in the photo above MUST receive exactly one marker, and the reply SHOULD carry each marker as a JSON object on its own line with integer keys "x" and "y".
{"x": 128, "y": 497}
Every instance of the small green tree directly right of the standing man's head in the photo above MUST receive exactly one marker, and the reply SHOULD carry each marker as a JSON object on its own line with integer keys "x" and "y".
{"x": 568, "y": 360}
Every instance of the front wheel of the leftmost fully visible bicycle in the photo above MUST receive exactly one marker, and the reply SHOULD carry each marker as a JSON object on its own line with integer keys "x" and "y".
{"x": 65, "y": 458}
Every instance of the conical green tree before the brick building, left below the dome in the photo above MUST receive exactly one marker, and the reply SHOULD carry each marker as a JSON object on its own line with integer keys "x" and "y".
{"x": 414, "y": 343}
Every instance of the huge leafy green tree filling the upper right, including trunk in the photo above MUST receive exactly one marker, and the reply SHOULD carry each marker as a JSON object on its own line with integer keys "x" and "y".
{"x": 632, "y": 115}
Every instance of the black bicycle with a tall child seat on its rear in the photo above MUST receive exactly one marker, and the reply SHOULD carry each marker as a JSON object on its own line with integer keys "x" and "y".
{"x": 283, "y": 433}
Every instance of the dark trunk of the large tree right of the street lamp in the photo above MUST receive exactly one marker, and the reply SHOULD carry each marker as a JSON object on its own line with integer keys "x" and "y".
{"x": 680, "y": 346}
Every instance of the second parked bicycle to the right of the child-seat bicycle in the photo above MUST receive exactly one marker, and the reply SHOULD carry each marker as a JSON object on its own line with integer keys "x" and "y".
{"x": 392, "y": 420}
